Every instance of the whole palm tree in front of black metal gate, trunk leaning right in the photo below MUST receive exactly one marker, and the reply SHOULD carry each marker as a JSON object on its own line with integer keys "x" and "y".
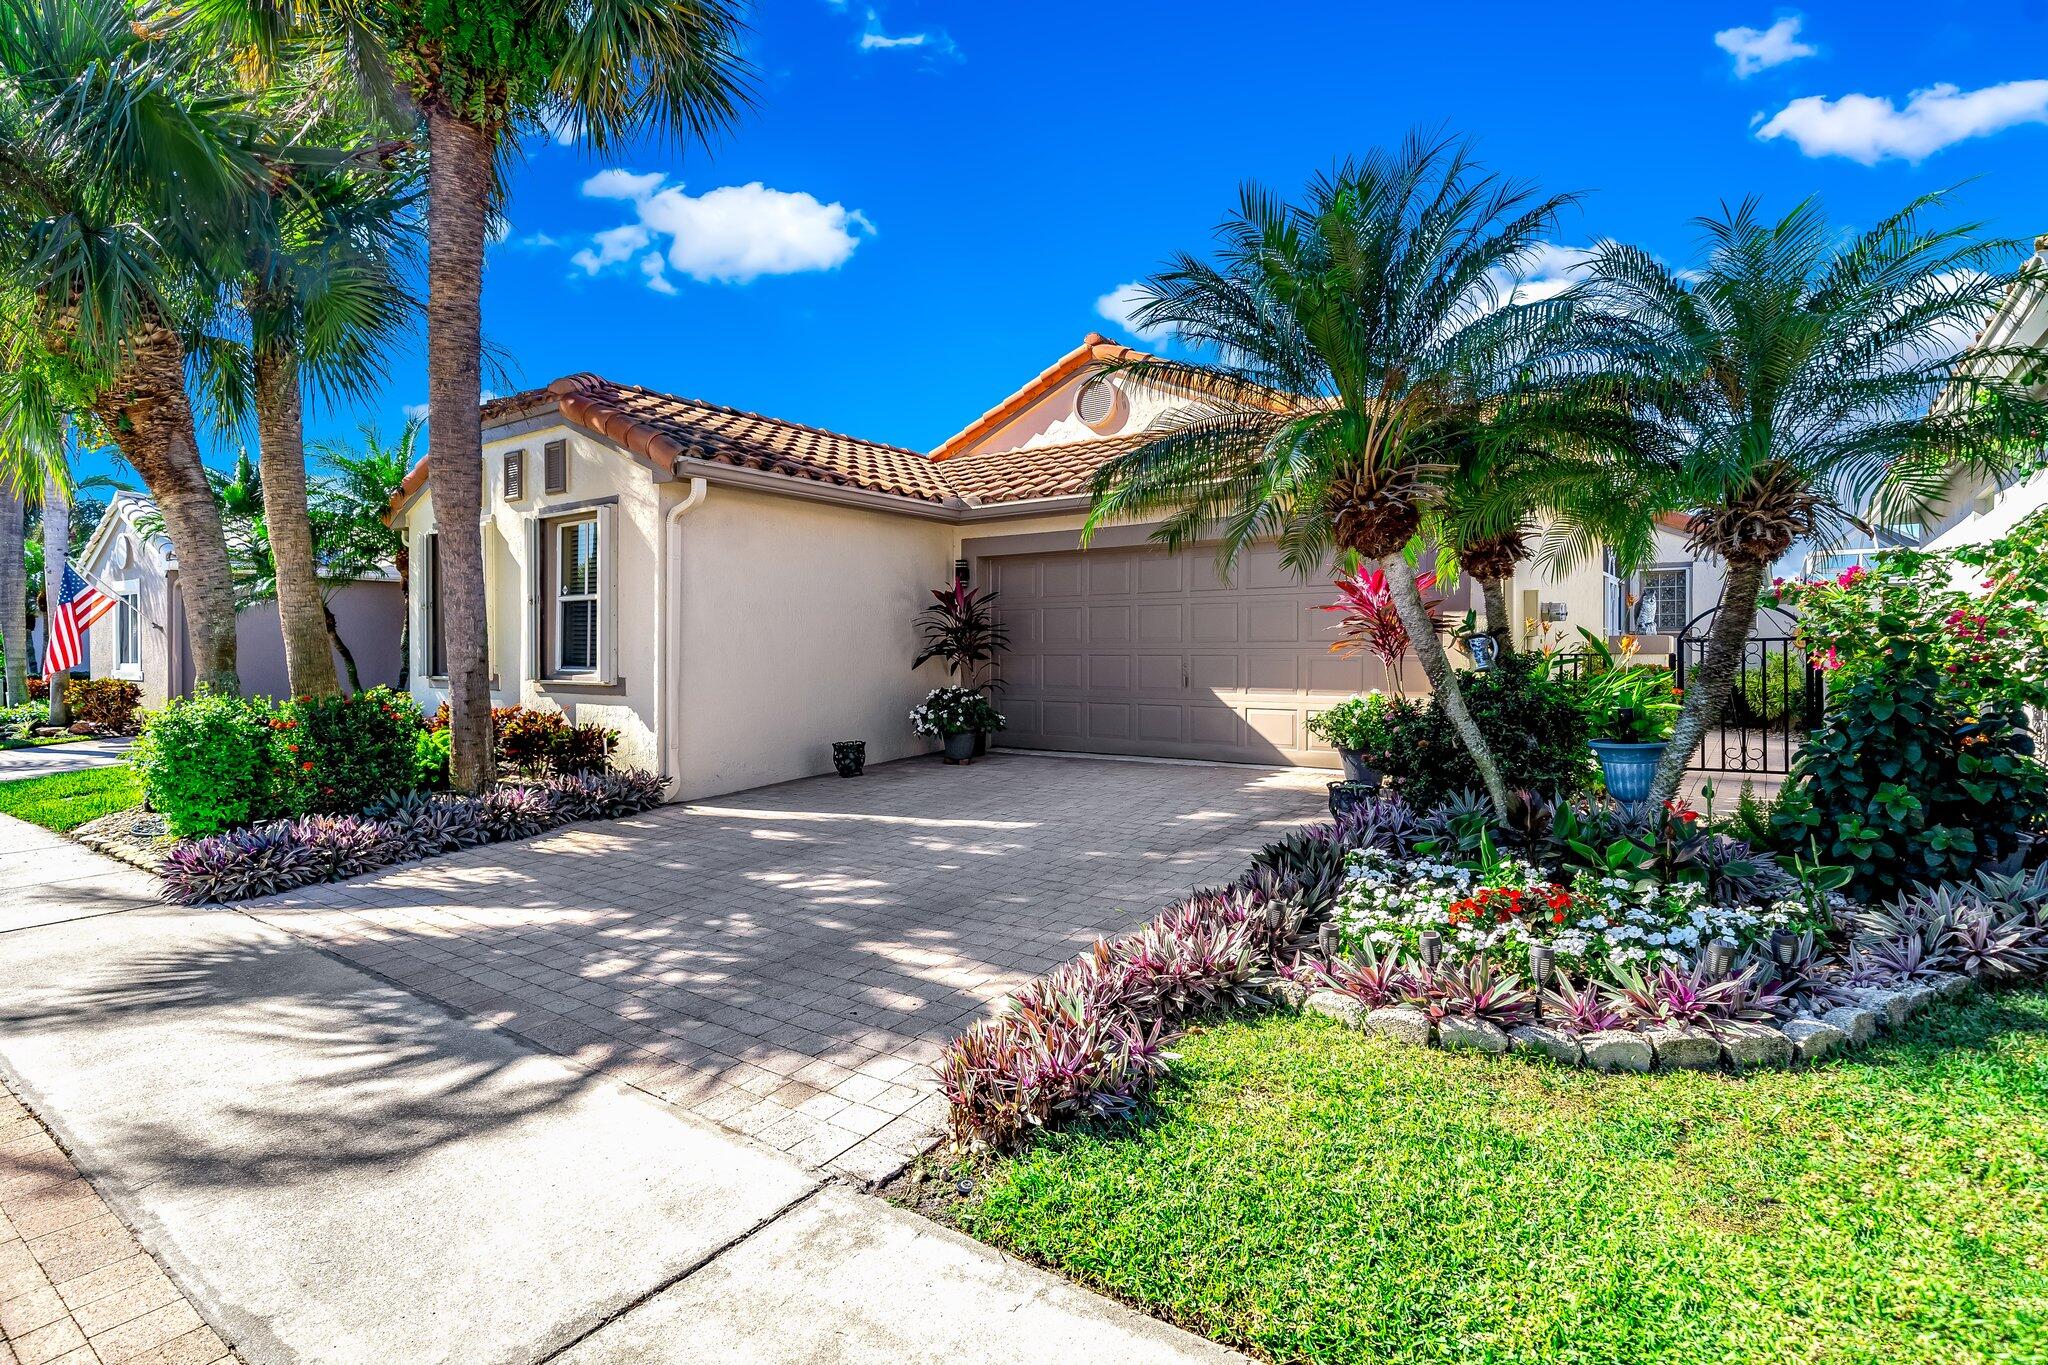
{"x": 1791, "y": 382}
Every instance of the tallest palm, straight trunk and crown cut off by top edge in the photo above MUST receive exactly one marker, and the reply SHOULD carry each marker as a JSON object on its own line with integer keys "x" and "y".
{"x": 482, "y": 77}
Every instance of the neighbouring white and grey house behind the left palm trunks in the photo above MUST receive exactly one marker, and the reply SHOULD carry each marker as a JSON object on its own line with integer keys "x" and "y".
{"x": 144, "y": 640}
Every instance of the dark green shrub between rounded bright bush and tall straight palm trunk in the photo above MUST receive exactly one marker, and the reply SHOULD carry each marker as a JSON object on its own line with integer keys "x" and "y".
{"x": 351, "y": 752}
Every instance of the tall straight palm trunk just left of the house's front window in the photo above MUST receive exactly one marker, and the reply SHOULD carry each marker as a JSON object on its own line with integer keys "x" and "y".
{"x": 458, "y": 204}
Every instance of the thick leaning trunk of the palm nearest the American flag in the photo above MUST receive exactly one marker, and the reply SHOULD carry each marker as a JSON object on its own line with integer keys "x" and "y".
{"x": 151, "y": 416}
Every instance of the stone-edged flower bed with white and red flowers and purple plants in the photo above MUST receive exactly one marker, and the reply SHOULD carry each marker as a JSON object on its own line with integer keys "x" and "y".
{"x": 1584, "y": 934}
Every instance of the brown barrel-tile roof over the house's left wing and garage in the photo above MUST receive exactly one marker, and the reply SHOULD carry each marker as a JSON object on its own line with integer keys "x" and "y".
{"x": 663, "y": 431}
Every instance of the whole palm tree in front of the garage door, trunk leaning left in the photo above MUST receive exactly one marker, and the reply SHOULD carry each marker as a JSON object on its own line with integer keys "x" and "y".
{"x": 1353, "y": 343}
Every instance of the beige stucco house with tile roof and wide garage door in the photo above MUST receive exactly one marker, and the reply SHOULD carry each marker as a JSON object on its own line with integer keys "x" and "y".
{"x": 734, "y": 592}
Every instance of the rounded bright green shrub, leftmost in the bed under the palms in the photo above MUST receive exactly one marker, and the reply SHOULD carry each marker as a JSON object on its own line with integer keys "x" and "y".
{"x": 214, "y": 762}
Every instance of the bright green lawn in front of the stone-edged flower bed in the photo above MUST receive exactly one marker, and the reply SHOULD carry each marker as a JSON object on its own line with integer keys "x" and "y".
{"x": 1312, "y": 1194}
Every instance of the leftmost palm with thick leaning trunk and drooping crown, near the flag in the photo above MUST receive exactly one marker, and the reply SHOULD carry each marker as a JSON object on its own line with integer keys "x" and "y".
{"x": 116, "y": 171}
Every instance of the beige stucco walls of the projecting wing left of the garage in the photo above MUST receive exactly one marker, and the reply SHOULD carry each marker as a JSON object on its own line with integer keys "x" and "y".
{"x": 792, "y": 621}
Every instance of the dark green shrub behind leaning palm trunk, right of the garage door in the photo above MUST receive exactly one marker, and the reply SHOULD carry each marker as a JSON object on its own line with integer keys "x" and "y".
{"x": 1531, "y": 717}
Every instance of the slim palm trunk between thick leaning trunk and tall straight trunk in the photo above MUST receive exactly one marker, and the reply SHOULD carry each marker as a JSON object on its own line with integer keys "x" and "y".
{"x": 300, "y": 607}
